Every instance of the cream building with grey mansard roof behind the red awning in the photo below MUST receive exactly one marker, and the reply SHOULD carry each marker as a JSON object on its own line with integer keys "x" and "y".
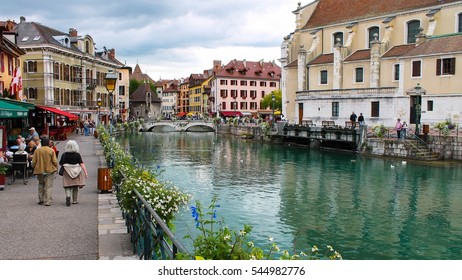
{"x": 65, "y": 71}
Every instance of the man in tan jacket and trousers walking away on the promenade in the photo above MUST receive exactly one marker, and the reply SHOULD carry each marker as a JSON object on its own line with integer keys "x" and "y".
{"x": 45, "y": 165}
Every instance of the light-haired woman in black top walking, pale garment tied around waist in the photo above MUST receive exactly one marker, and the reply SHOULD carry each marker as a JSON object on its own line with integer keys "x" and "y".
{"x": 75, "y": 172}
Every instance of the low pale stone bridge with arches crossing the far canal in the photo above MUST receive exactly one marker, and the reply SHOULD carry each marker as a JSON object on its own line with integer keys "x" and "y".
{"x": 186, "y": 125}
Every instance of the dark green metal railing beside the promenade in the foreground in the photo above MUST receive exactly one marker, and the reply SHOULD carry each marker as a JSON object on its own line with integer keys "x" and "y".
{"x": 151, "y": 237}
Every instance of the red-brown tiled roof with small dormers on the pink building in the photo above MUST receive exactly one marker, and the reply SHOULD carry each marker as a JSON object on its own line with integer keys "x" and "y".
{"x": 251, "y": 70}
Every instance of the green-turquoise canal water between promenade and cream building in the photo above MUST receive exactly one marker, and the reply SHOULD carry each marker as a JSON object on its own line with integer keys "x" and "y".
{"x": 366, "y": 208}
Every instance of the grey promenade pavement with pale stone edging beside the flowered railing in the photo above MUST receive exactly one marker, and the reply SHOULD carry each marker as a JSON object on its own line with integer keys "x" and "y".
{"x": 91, "y": 230}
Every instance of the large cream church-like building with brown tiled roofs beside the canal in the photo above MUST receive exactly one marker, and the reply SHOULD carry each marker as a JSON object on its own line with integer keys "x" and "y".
{"x": 386, "y": 59}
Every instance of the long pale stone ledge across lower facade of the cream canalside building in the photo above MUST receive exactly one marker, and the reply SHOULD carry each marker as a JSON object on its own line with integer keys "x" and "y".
{"x": 346, "y": 93}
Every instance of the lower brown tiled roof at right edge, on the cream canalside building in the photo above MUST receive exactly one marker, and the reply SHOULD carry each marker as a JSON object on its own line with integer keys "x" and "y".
{"x": 438, "y": 45}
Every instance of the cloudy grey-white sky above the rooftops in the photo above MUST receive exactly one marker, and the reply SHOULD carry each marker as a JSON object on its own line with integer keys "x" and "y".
{"x": 170, "y": 38}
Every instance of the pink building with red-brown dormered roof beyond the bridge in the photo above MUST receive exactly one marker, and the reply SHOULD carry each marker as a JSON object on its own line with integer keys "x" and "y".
{"x": 238, "y": 87}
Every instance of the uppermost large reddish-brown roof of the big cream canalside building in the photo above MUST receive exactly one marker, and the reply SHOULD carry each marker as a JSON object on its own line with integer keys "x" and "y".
{"x": 339, "y": 11}
